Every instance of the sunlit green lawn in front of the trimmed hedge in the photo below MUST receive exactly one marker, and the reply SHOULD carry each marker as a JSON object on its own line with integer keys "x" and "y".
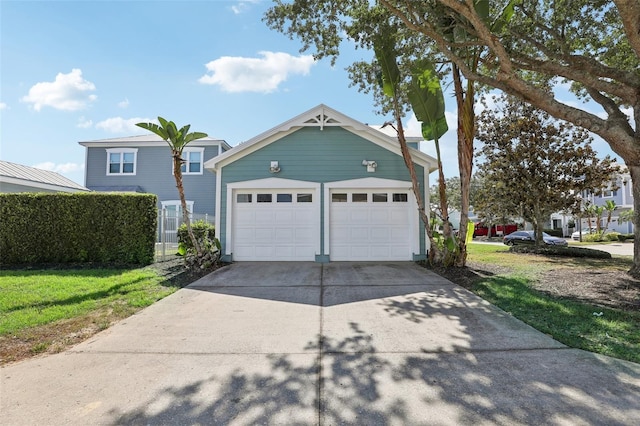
{"x": 34, "y": 298}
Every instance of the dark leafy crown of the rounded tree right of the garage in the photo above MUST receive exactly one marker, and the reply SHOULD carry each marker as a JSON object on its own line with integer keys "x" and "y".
{"x": 537, "y": 165}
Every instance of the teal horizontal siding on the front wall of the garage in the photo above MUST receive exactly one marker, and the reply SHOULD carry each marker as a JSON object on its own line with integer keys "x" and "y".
{"x": 311, "y": 154}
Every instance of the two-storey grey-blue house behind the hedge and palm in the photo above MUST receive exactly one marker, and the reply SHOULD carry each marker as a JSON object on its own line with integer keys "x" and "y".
{"x": 144, "y": 164}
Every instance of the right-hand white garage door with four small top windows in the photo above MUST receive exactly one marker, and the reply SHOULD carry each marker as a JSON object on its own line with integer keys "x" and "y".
{"x": 370, "y": 225}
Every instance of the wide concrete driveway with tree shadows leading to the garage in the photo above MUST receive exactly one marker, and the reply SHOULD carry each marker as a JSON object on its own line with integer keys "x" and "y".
{"x": 305, "y": 344}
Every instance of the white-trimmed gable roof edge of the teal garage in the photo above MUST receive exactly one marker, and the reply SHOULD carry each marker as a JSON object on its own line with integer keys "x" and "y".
{"x": 321, "y": 116}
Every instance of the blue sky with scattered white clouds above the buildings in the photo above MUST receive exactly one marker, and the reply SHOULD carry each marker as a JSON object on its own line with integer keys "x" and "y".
{"x": 74, "y": 71}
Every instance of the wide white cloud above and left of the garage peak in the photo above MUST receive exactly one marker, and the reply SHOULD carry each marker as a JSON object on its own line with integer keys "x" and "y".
{"x": 262, "y": 75}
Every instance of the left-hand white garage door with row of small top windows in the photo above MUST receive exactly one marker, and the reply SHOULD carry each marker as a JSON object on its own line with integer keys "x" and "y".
{"x": 275, "y": 225}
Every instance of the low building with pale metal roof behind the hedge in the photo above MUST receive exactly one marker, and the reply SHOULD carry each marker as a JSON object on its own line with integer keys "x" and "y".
{"x": 18, "y": 178}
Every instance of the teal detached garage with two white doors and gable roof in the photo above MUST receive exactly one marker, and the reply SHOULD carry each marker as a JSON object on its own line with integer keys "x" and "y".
{"x": 319, "y": 187}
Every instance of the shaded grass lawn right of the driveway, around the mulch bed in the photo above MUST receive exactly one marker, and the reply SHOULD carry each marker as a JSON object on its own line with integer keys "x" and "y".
{"x": 612, "y": 332}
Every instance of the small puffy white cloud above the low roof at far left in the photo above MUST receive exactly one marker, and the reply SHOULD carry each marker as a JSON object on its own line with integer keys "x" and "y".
{"x": 69, "y": 92}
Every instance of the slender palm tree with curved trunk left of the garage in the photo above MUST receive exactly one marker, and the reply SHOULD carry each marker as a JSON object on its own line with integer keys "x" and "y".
{"x": 177, "y": 140}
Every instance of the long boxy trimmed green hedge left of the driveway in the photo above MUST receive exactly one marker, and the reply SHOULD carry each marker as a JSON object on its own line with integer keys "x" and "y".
{"x": 92, "y": 227}
